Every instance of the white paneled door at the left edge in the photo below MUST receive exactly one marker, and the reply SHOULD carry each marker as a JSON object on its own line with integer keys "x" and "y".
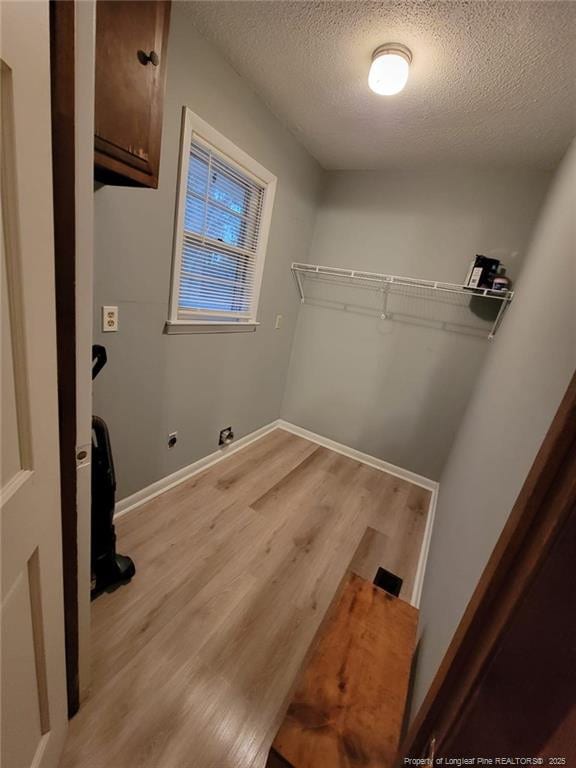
{"x": 34, "y": 710}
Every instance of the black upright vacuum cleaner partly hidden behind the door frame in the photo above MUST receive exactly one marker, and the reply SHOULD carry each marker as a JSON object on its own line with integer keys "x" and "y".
{"x": 109, "y": 569}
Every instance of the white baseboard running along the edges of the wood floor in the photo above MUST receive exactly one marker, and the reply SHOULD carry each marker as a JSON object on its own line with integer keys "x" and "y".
{"x": 160, "y": 486}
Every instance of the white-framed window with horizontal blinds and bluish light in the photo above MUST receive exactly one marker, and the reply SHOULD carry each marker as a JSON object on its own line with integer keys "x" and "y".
{"x": 224, "y": 207}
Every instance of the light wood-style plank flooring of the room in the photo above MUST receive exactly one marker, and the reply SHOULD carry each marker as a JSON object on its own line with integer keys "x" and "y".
{"x": 194, "y": 661}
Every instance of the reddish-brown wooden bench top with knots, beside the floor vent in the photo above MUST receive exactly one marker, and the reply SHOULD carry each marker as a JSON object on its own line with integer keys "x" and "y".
{"x": 349, "y": 704}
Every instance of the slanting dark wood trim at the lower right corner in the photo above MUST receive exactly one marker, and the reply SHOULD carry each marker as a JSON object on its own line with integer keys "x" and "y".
{"x": 541, "y": 509}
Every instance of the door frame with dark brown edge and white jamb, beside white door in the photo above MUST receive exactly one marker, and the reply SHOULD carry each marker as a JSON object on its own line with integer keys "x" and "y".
{"x": 72, "y": 35}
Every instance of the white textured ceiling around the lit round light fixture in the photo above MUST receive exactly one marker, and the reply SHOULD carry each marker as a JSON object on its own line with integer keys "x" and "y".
{"x": 492, "y": 83}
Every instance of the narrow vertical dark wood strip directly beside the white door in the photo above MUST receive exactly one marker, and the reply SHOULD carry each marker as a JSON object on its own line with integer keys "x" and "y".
{"x": 62, "y": 52}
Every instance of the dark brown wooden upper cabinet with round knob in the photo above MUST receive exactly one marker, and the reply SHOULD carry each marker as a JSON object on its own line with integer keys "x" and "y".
{"x": 131, "y": 47}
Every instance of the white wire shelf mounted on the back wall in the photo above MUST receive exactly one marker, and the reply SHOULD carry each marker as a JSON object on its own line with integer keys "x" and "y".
{"x": 412, "y": 288}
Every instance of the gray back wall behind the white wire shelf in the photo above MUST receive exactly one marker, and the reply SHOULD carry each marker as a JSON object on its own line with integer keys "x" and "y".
{"x": 398, "y": 390}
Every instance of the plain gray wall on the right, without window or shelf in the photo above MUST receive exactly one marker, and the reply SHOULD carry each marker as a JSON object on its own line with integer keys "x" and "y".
{"x": 523, "y": 380}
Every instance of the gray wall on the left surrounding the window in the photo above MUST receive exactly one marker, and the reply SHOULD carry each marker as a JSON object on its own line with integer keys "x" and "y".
{"x": 195, "y": 384}
